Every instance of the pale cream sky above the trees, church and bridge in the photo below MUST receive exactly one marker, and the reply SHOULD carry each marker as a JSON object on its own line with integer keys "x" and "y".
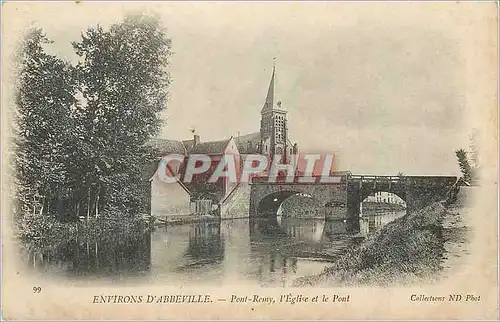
{"x": 386, "y": 86}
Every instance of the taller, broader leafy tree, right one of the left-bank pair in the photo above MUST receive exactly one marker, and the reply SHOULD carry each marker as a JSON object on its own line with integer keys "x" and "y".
{"x": 124, "y": 81}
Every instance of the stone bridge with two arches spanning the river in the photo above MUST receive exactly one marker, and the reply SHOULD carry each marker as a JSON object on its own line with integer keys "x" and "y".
{"x": 341, "y": 196}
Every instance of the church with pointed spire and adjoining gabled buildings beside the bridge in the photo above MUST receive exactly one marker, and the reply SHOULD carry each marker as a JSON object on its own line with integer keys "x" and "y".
{"x": 200, "y": 196}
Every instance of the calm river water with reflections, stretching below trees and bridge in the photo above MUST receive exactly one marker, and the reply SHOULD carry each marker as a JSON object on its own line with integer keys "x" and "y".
{"x": 271, "y": 251}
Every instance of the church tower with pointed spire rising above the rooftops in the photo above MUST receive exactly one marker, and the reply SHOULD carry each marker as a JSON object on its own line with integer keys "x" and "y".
{"x": 273, "y": 125}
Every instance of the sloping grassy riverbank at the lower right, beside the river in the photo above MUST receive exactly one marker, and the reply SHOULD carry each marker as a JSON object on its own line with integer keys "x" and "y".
{"x": 411, "y": 249}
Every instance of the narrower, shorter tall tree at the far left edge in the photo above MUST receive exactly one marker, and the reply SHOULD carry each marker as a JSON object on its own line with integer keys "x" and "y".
{"x": 44, "y": 99}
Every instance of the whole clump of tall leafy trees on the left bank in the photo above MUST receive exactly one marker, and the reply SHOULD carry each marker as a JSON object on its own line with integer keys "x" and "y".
{"x": 83, "y": 130}
